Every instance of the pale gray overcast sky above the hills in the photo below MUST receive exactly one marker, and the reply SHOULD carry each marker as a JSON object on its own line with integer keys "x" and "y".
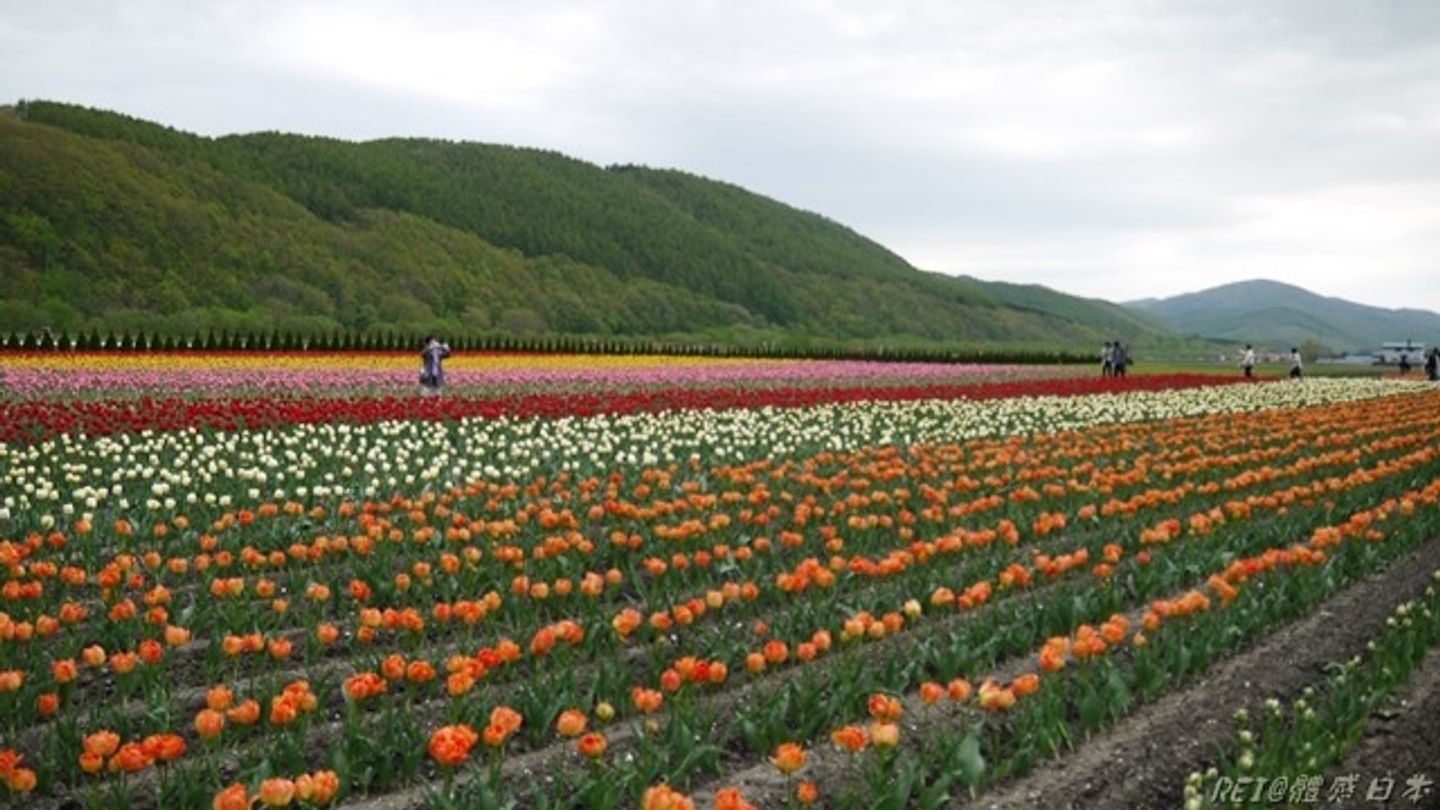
{"x": 1111, "y": 149}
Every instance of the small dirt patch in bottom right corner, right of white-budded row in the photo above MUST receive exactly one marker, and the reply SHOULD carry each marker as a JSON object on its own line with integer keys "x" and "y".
{"x": 1402, "y": 743}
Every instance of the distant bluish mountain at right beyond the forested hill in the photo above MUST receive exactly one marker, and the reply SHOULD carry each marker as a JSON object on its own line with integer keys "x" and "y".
{"x": 1275, "y": 315}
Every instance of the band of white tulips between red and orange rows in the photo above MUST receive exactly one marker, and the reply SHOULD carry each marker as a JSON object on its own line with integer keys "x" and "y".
{"x": 166, "y": 473}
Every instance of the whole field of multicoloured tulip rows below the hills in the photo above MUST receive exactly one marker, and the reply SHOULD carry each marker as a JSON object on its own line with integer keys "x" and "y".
{"x": 247, "y": 580}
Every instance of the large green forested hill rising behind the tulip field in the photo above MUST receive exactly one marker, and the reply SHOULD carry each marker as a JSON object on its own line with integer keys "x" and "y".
{"x": 116, "y": 223}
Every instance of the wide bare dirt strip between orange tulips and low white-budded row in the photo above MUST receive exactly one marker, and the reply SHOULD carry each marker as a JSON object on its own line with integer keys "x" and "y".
{"x": 1144, "y": 760}
